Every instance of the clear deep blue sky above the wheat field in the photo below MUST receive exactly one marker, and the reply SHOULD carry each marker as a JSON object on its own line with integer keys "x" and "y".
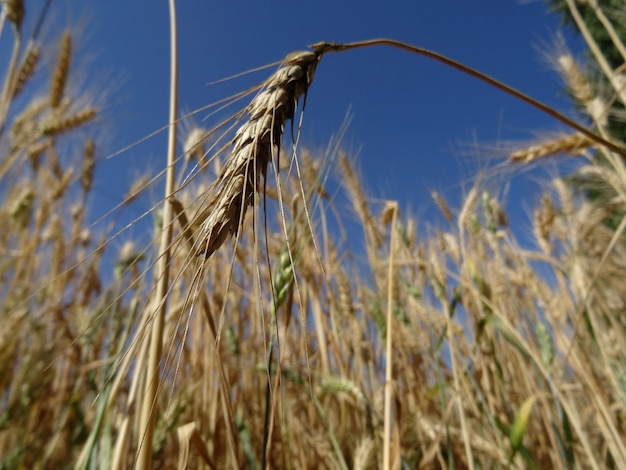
{"x": 411, "y": 116}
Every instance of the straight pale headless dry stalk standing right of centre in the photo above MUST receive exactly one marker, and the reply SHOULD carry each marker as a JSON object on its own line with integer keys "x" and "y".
{"x": 388, "y": 346}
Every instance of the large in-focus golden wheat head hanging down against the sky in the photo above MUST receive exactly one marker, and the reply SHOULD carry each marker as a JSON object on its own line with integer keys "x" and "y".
{"x": 256, "y": 141}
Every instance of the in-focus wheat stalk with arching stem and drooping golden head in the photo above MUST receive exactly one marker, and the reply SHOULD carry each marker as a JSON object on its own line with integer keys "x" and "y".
{"x": 259, "y": 137}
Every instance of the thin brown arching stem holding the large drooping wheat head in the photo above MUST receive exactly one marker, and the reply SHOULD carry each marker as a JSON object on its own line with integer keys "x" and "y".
{"x": 325, "y": 47}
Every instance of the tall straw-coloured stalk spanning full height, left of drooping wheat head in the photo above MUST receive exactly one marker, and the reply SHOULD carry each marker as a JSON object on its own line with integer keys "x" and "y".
{"x": 148, "y": 406}
